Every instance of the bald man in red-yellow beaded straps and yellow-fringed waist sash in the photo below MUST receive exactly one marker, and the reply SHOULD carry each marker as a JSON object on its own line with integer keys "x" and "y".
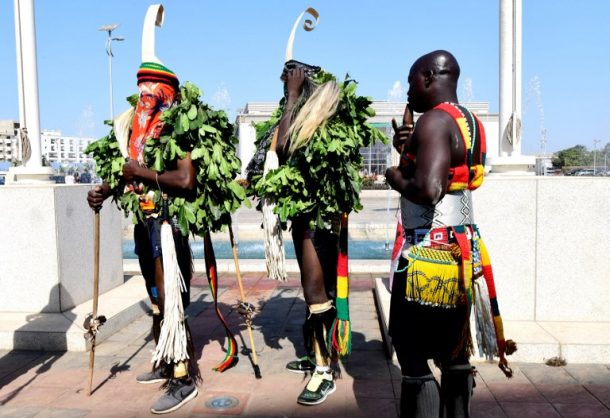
{"x": 444, "y": 271}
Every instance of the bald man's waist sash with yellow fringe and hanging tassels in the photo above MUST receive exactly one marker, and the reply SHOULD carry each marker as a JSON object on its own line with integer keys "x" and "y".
{"x": 450, "y": 266}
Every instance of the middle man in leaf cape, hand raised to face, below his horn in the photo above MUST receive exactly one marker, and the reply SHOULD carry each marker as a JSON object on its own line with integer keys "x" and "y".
{"x": 321, "y": 126}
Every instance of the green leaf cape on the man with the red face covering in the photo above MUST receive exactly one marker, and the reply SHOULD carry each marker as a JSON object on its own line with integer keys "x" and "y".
{"x": 189, "y": 126}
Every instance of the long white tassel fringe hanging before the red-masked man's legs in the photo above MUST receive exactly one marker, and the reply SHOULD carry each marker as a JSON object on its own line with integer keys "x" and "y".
{"x": 172, "y": 343}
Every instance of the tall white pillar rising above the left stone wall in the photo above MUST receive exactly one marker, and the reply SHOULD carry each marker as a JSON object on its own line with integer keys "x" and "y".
{"x": 28, "y": 74}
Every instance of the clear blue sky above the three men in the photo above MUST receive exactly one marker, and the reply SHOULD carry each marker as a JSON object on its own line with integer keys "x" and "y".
{"x": 234, "y": 51}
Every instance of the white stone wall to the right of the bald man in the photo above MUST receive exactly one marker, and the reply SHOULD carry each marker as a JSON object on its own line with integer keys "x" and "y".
{"x": 548, "y": 240}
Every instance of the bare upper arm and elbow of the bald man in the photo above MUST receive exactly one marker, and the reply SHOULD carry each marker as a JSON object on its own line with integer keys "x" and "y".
{"x": 431, "y": 139}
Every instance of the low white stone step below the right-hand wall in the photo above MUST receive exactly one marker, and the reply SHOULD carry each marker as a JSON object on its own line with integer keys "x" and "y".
{"x": 537, "y": 341}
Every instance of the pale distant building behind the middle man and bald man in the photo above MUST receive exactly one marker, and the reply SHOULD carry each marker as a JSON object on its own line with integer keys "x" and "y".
{"x": 377, "y": 157}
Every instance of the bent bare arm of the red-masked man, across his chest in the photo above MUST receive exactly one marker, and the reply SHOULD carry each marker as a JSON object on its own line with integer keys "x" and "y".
{"x": 180, "y": 179}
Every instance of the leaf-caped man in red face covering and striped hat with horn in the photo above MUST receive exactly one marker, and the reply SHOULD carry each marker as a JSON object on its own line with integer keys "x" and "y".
{"x": 170, "y": 161}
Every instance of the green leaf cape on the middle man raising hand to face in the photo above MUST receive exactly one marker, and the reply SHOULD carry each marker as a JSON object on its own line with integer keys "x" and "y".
{"x": 321, "y": 179}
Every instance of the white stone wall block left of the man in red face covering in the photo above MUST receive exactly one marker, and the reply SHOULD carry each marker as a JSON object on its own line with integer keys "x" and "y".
{"x": 46, "y": 248}
